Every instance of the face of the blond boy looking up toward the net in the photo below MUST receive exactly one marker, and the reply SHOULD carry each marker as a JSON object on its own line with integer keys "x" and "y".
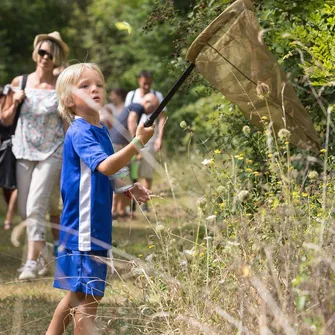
{"x": 89, "y": 93}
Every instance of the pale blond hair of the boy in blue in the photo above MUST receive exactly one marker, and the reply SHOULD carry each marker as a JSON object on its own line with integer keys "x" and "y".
{"x": 66, "y": 80}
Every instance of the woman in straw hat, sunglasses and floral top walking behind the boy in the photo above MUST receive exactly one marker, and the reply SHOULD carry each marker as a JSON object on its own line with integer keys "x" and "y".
{"x": 37, "y": 145}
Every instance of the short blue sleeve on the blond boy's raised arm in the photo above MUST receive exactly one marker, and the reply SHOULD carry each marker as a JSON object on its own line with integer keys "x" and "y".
{"x": 88, "y": 148}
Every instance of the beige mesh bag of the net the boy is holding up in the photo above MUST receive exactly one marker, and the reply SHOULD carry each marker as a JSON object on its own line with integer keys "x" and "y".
{"x": 231, "y": 55}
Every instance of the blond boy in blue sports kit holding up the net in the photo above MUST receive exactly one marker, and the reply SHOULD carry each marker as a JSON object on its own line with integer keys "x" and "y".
{"x": 85, "y": 230}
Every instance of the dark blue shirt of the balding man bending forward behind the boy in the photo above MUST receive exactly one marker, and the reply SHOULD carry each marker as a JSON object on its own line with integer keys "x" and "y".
{"x": 119, "y": 134}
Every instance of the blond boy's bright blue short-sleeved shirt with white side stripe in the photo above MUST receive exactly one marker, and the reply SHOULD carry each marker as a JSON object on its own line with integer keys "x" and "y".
{"x": 86, "y": 222}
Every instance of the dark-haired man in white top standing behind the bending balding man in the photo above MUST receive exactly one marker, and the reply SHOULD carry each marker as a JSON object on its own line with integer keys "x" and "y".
{"x": 145, "y": 169}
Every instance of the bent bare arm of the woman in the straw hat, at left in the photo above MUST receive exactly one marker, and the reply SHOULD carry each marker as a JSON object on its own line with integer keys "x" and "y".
{"x": 13, "y": 99}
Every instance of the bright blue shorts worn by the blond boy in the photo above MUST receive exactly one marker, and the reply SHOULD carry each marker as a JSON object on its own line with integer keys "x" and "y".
{"x": 81, "y": 271}
